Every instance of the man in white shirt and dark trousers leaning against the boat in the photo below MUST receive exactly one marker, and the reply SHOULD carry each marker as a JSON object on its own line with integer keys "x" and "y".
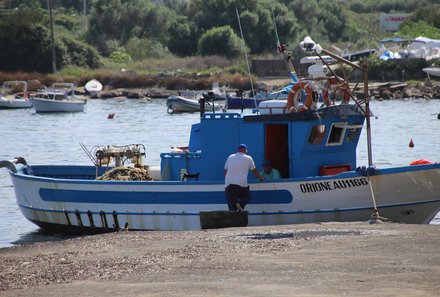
{"x": 237, "y": 167}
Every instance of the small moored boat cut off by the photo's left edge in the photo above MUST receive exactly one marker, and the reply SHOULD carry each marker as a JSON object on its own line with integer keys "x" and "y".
{"x": 14, "y": 94}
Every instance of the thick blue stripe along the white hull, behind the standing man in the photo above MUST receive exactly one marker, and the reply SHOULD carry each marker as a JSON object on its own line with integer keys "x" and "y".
{"x": 158, "y": 198}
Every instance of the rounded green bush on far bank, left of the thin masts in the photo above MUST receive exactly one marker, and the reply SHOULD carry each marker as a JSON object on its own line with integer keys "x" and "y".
{"x": 220, "y": 41}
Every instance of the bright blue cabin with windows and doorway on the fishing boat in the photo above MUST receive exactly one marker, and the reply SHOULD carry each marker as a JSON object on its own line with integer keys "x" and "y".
{"x": 312, "y": 143}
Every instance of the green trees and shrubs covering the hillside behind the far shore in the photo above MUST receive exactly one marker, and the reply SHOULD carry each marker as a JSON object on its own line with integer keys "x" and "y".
{"x": 152, "y": 37}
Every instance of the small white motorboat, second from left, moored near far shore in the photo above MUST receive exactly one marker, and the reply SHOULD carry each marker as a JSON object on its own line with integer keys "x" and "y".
{"x": 59, "y": 98}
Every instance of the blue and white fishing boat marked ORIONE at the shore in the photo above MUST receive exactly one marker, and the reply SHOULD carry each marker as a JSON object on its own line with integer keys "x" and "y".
{"x": 314, "y": 150}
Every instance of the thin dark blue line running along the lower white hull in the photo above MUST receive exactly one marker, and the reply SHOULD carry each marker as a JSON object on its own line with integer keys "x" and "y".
{"x": 251, "y": 213}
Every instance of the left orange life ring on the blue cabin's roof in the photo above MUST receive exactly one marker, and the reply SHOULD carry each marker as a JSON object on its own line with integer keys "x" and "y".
{"x": 311, "y": 97}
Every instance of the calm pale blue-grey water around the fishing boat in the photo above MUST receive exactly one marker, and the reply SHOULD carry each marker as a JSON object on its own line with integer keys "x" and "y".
{"x": 55, "y": 139}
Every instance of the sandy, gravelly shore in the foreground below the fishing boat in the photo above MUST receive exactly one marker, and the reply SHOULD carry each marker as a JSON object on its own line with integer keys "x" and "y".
{"x": 331, "y": 259}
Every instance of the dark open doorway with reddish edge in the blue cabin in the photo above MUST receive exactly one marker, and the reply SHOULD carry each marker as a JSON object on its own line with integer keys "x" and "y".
{"x": 277, "y": 147}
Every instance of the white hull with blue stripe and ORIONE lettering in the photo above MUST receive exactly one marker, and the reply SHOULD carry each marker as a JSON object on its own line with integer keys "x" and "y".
{"x": 407, "y": 194}
